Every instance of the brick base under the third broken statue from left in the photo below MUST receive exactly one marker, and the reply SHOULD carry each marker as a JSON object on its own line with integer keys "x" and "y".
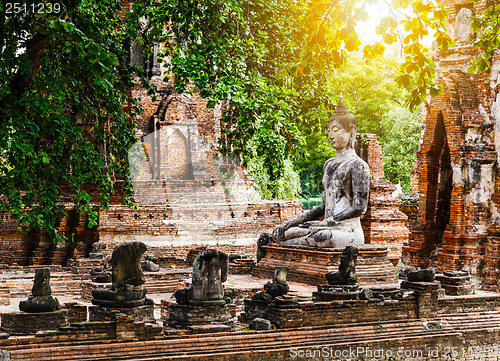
{"x": 183, "y": 316}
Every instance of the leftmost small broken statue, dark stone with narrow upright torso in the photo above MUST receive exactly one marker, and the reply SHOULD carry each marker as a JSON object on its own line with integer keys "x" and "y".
{"x": 41, "y": 299}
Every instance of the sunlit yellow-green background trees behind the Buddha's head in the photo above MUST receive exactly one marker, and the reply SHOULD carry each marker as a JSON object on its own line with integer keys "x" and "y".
{"x": 371, "y": 93}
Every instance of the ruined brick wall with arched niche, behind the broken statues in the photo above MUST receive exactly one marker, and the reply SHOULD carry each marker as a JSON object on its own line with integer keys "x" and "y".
{"x": 186, "y": 197}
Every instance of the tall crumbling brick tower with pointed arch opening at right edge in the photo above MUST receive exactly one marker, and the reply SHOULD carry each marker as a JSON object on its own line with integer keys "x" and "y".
{"x": 458, "y": 224}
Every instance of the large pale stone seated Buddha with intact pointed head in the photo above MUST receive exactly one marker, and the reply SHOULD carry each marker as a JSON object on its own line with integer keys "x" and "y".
{"x": 346, "y": 184}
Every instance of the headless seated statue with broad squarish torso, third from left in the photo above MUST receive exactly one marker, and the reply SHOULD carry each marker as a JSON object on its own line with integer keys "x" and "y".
{"x": 210, "y": 269}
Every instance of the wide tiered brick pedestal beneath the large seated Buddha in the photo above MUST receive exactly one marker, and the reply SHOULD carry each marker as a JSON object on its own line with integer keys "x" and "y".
{"x": 309, "y": 265}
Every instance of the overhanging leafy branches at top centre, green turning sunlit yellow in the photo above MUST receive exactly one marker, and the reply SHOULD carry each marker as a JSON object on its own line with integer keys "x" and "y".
{"x": 272, "y": 61}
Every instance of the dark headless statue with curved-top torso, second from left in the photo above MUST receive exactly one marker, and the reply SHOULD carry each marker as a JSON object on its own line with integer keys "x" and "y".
{"x": 127, "y": 279}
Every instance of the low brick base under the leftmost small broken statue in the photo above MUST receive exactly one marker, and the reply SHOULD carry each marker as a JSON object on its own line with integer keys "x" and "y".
{"x": 23, "y": 323}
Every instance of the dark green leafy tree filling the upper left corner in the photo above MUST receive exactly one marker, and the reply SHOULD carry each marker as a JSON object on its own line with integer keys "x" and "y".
{"x": 65, "y": 79}
